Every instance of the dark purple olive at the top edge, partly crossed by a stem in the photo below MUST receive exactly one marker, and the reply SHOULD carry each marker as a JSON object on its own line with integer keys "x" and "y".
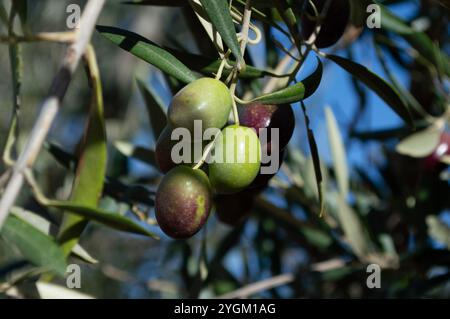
{"x": 332, "y": 27}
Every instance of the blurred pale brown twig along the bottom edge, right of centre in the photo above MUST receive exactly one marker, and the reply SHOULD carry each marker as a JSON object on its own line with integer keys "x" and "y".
{"x": 259, "y": 286}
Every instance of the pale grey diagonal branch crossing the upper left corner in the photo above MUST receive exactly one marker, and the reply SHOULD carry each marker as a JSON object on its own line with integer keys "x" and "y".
{"x": 51, "y": 105}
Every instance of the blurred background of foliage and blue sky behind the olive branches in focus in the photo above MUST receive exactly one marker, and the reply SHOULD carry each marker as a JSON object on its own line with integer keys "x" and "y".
{"x": 381, "y": 206}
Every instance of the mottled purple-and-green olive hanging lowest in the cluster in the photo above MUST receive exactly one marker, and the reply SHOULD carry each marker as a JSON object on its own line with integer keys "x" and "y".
{"x": 183, "y": 202}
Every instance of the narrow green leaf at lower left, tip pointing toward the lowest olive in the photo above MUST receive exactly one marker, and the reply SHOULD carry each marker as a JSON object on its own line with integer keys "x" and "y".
{"x": 109, "y": 219}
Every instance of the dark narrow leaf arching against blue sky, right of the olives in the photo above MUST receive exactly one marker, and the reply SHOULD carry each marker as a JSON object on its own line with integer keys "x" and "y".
{"x": 383, "y": 89}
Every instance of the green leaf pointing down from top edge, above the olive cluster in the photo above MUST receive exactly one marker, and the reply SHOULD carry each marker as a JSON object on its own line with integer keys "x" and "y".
{"x": 218, "y": 12}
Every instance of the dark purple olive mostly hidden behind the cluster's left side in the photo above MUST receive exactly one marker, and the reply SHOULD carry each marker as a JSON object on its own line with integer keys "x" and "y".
{"x": 163, "y": 151}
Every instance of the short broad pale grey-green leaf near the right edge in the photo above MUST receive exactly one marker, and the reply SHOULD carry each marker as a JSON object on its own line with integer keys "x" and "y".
{"x": 420, "y": 144}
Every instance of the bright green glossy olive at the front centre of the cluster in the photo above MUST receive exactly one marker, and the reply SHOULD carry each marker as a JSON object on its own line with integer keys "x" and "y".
{"x": 236, "y": 159}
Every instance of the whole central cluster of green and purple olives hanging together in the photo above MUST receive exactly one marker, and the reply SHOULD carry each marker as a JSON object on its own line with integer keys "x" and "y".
{"x": 186, "y": 193}
